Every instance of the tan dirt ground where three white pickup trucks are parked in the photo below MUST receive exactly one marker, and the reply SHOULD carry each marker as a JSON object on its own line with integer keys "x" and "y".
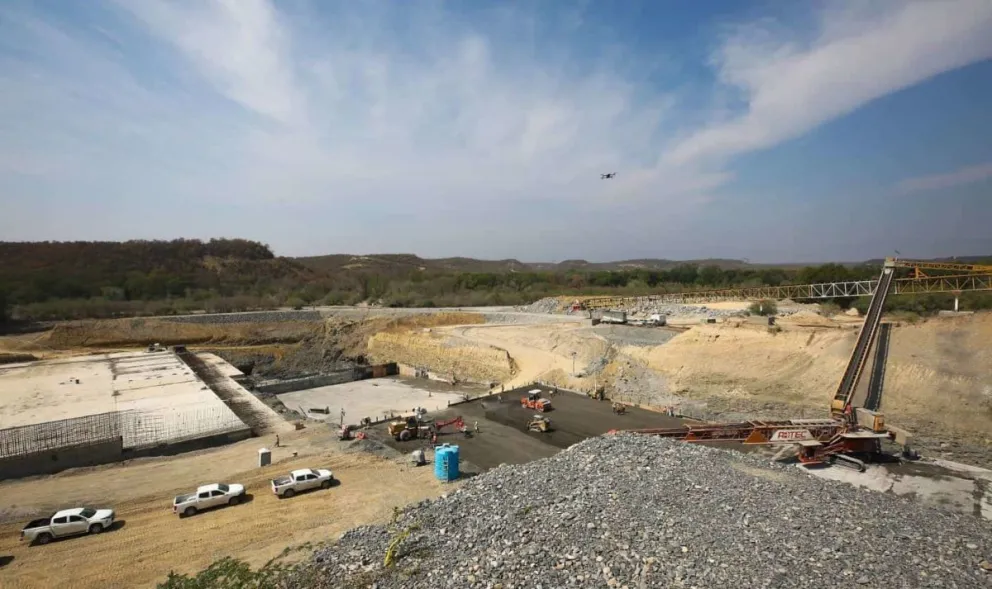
{"x": 150, "y": 540}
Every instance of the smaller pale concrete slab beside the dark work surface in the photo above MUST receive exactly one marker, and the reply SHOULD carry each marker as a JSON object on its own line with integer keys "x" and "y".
{"x": 373, "y": 398}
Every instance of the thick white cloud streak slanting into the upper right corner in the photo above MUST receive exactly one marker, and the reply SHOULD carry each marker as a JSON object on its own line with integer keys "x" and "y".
{"x": 862, "y": 52}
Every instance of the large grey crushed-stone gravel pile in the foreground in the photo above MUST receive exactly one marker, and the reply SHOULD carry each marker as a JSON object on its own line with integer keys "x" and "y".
{"x": 633, "y": 511}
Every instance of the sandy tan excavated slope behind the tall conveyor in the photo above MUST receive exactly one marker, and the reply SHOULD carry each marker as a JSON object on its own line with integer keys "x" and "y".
{"x": 938, "y": 378}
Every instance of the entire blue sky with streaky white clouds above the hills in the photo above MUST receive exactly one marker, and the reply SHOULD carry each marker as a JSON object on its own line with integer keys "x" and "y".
{"x": 773, "y": 131}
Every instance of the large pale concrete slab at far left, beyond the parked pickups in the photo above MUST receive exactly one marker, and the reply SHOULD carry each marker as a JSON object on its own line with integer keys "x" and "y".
{"x": 171, "y": 403}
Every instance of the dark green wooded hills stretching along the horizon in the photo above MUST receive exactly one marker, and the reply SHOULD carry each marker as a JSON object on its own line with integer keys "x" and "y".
{"x": 60, "y": 280}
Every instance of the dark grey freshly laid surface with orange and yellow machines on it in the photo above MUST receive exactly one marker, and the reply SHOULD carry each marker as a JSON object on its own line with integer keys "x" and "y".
{"x": 503, "y": 439}
